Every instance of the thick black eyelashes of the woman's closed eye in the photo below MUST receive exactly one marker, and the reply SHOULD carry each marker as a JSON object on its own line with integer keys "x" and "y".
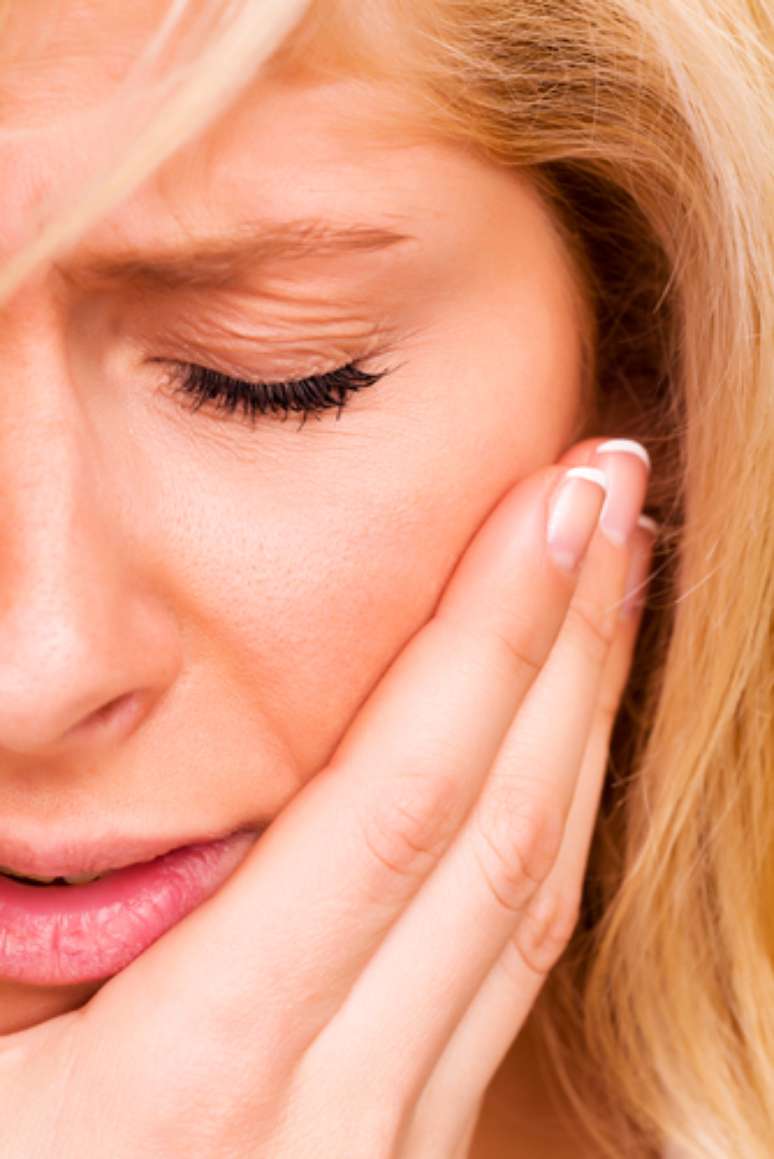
{"x": 304, "y": 396}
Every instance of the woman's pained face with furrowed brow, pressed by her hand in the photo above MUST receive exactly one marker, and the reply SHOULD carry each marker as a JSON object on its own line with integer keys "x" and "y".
{"x": 194, "y": 607}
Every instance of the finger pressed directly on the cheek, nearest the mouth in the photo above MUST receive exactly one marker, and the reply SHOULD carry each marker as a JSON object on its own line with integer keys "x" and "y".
{"x": 300, "y": 917}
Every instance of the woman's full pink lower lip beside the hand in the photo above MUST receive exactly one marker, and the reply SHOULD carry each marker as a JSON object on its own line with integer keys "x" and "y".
{"x": 56, "y": 936}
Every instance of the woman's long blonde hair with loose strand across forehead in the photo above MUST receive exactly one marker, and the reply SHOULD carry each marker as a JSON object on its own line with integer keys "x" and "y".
{"x": 646, "y": 126}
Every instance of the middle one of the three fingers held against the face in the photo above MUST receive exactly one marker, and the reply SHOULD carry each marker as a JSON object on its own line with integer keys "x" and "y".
{"x": 461, "y": 922}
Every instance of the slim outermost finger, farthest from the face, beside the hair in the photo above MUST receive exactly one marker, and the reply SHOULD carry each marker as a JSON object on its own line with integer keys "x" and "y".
{"x": 499, "y": 1011}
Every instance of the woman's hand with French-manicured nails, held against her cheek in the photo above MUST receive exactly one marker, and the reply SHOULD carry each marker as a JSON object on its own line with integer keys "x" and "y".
{"x": 354, "y": 987}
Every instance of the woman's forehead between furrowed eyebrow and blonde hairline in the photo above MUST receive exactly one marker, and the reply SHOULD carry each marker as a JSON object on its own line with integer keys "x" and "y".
{"x": 302, "y": 143}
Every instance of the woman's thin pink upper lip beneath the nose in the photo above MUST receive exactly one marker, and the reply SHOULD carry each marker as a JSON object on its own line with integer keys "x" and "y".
{"x": 72, "y": 857}
